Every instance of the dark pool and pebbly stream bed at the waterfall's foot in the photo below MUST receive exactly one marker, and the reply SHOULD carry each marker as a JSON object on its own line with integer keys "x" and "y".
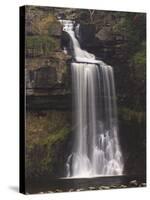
{"x": 84, "y": 184}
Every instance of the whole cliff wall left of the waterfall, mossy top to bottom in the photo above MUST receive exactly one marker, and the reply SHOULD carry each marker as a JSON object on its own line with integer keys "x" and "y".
{"x": 48, "y": 117}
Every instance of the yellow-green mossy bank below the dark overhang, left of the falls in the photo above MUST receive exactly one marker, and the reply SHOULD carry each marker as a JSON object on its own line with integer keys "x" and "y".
{"x": 46, "y": 134}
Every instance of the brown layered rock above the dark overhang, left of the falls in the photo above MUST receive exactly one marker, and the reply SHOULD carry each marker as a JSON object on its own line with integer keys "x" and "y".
{"x": 43, "y": 50}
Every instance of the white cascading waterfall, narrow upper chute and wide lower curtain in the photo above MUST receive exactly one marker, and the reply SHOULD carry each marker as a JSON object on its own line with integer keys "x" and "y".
{"x": 96, "y": 150}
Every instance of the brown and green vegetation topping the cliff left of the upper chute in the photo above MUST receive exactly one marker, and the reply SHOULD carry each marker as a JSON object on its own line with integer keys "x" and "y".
{"x": 39, "y": 41}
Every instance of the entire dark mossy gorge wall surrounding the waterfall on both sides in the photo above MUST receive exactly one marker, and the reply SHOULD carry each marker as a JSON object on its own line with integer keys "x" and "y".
{"x": 113, "y": 37}
